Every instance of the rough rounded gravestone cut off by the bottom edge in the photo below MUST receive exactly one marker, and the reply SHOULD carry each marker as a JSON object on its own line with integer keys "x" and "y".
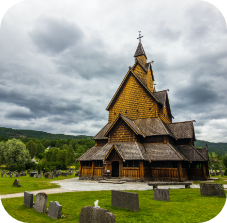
{"x": 97, "y": 215}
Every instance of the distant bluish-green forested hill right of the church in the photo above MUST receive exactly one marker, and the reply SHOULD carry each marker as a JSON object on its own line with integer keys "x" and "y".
{"x": 219, "y": 148}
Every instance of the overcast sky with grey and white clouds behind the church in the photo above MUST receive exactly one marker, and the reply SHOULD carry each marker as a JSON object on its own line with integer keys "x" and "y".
{"x": 62, "y": 61}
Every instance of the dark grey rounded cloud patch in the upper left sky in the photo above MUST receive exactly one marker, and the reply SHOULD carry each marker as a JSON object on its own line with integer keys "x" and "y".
{"x": 53, "y": 35}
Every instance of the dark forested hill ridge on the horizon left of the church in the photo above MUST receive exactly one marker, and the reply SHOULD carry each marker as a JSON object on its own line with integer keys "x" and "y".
{"x": 22, "y": 133}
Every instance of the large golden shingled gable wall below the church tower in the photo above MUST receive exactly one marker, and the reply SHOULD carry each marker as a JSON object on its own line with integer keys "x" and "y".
{"x": 133, "y": 100}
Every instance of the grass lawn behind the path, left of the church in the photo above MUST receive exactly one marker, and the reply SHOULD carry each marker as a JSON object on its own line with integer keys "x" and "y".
{"x": 28, "y": 184}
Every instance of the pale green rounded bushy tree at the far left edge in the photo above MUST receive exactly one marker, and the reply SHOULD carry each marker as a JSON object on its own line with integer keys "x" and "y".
{"x": 14, "y": 152}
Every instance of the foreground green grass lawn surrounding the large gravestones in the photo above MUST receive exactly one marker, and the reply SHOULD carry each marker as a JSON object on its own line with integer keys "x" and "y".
{"x": 186, "y": 205}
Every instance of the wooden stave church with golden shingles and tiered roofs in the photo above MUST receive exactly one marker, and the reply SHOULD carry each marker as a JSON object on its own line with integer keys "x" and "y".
{"x": 140, "y": 141}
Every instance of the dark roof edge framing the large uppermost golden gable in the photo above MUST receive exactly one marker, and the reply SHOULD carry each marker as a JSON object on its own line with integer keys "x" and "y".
{"x": 130, "y": 72}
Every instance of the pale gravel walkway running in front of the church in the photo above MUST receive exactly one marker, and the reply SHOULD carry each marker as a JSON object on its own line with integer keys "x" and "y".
{"x": 74, "y": 184}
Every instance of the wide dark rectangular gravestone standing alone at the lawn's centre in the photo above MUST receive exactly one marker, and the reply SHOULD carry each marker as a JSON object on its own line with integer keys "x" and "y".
{"x": 125, "y": 200}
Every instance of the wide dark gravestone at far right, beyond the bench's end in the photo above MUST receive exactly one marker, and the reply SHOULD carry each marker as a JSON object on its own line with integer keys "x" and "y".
{"x": 208, "y": 189}
